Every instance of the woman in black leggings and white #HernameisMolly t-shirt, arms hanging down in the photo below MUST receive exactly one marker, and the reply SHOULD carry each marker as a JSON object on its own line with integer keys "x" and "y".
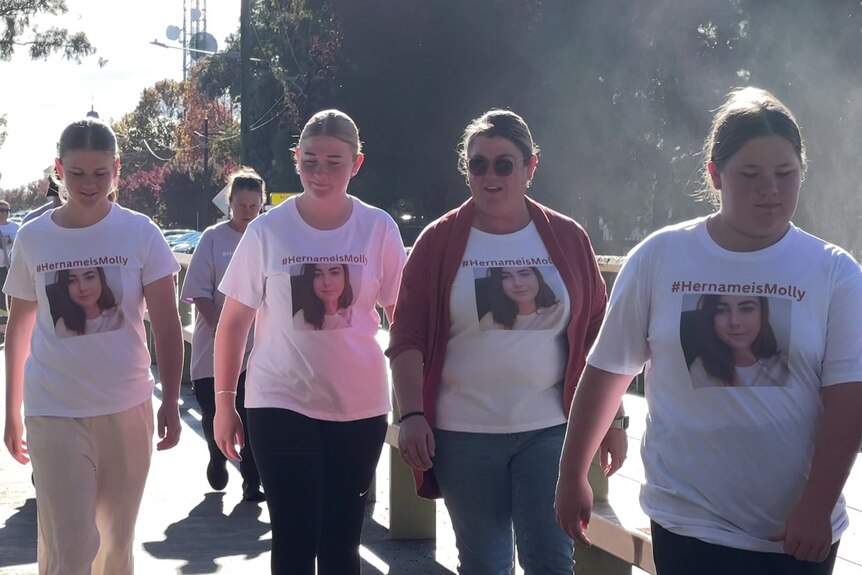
{"x": 316, "y": 399}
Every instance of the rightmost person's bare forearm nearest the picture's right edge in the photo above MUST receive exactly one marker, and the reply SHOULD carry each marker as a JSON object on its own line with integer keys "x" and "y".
{"x": 836, "y": 447}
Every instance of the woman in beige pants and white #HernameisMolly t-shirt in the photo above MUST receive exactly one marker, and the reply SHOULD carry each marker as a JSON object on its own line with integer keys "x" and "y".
{"x": 88, "y": 399}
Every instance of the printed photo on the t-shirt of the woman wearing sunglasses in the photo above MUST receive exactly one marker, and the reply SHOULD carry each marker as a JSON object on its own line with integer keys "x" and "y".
{"x": 515, "y": 298}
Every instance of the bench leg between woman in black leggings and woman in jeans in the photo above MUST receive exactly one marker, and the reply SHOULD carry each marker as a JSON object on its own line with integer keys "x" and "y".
{"x": 410, "y": 516}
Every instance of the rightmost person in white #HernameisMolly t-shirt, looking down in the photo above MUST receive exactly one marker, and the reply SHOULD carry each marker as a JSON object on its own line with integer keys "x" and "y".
{"x": 738, "y": 479}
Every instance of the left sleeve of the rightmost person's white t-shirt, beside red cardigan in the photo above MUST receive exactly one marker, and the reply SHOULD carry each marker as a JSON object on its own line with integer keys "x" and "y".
{"x": 622, "y": 344}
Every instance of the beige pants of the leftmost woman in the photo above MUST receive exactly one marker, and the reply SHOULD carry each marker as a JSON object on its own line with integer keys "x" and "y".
{"x": 90, "y": 474}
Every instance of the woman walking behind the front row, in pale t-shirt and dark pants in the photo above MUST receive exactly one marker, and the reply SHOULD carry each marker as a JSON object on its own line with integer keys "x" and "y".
{"x": 246, "y": 194}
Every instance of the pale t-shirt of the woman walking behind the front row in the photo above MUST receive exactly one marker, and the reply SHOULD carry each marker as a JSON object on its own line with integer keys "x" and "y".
{"x": 205, "y": 272}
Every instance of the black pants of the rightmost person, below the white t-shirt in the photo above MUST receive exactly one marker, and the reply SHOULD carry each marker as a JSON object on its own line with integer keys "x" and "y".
{"x": 680, "y": 555}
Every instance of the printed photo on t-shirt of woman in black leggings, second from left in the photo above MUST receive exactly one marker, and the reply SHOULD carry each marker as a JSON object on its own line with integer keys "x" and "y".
{"x": 323, "y": 295}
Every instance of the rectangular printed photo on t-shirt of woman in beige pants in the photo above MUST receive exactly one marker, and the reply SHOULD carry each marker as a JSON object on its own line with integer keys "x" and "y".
{"x": 85, "y": 301}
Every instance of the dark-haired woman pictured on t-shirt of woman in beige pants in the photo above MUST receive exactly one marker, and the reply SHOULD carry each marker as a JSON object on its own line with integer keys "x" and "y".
{"x": 86, "y": 303}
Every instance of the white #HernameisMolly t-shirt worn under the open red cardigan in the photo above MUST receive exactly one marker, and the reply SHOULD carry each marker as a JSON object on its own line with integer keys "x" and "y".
{"x": 507, "y": 350}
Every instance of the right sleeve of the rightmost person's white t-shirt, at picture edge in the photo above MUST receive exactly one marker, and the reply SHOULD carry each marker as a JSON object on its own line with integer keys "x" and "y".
{"x": 842, "y": 361}
